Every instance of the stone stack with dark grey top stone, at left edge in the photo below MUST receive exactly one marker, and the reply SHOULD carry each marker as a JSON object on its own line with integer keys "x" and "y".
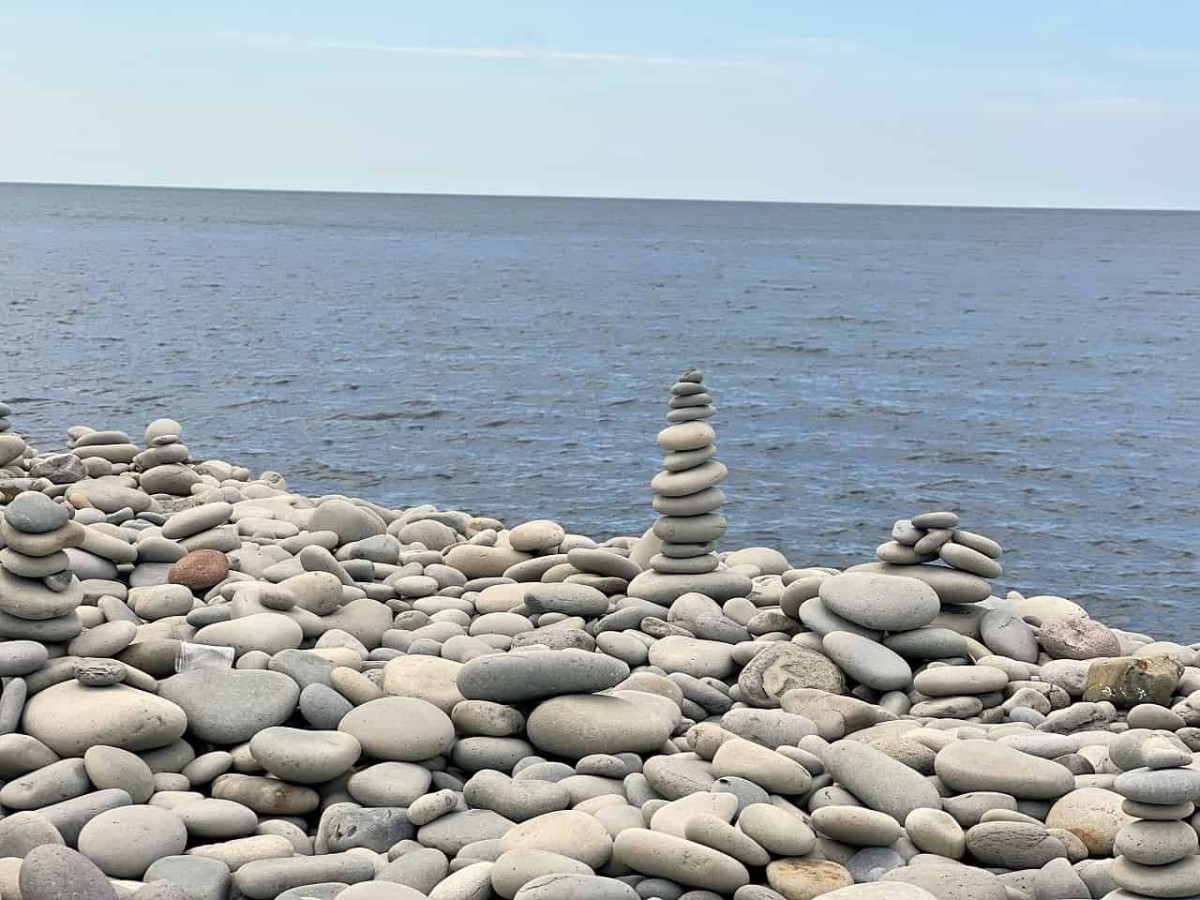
{"x": 39, "y": 592}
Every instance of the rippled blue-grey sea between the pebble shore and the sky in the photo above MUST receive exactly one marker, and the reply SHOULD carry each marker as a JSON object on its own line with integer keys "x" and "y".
{"x": 1035, "y": 370}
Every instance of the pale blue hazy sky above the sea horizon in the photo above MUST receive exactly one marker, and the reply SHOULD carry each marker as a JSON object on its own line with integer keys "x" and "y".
{"x": 961, "y": 104}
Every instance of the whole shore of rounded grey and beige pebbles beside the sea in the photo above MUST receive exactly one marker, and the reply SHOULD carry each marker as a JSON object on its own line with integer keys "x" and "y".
{"x": 239, "y": 692}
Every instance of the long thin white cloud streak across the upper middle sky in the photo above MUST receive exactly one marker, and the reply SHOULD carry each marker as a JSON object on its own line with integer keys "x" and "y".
{"x": 503, "y": 53}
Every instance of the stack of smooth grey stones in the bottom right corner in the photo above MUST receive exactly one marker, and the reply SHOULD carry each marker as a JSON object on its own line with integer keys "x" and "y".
{"x": 1156, "y": 855}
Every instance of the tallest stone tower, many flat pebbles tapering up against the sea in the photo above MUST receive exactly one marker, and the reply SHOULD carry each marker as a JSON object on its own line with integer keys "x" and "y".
{"x": 688, "y": 497}
